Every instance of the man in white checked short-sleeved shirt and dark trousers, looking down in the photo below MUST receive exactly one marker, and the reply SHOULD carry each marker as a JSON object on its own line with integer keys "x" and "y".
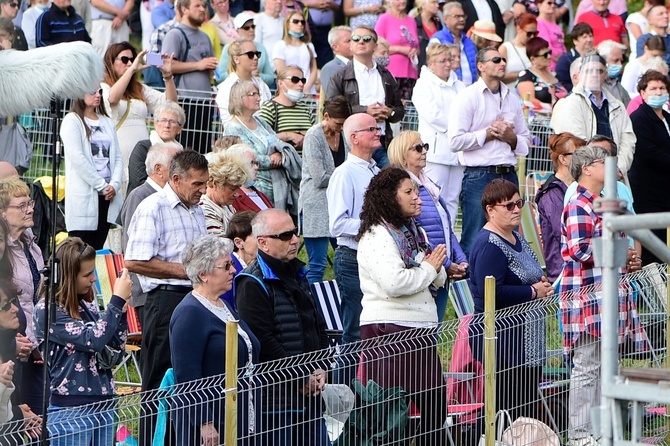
{"x": 160, "y": 230}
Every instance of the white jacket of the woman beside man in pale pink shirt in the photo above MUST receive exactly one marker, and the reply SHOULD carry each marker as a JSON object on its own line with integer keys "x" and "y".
{"x": 432, "y": 97}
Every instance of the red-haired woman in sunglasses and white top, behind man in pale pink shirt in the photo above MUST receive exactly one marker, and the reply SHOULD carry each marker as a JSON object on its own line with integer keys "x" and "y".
{"x": 515, "y": 50}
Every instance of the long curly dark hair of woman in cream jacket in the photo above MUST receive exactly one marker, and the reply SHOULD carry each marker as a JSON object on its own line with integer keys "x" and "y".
{"x": 380, "y": 203}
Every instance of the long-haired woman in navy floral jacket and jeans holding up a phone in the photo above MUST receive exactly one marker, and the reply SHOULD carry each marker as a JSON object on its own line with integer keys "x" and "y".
{"x": 82, "y": 404}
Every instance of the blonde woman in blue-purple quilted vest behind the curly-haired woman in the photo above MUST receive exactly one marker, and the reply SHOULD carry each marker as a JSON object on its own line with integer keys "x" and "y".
{"x": 408, "y": 152}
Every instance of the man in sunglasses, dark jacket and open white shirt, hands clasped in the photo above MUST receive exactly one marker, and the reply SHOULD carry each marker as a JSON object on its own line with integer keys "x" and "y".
{"x": 369, "y": 88}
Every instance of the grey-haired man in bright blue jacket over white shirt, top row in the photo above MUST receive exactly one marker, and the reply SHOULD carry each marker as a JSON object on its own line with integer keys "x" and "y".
{"x": 452, "y": 34}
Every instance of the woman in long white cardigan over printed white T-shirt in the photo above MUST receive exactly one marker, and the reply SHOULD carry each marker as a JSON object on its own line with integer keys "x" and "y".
{"x": 93, "y": 170}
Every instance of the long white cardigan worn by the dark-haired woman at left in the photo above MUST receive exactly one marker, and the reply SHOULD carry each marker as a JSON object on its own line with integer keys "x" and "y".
{"x": 82, "y": 182}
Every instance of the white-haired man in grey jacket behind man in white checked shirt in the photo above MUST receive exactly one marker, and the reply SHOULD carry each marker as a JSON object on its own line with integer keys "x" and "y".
{"x": 158, "y": 172}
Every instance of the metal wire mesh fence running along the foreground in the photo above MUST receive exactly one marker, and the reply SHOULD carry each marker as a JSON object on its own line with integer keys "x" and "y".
{"x": 426, "y": 385}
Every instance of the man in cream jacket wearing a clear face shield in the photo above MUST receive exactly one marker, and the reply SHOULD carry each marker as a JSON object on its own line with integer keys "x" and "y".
{"x": 590, "y": 111}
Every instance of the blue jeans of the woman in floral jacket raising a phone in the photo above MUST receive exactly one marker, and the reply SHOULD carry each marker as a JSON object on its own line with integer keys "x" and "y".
{"x": 89, "y": 425}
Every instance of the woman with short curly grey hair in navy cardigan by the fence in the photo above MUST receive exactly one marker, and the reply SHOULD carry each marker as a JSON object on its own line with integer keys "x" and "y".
{"x": 199, "y": 322}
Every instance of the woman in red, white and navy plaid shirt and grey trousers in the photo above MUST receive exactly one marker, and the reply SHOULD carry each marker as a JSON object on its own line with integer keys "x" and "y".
{"x": 580, "y": 311}
